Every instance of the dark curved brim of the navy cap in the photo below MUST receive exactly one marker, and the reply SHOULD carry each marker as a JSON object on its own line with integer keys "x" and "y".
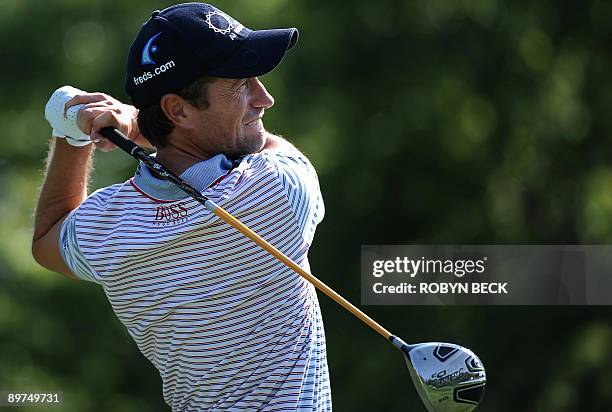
{"x": 259, "y": 54}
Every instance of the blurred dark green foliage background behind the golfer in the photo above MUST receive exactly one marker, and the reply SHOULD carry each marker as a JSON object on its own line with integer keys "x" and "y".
{"x": 429, "y": 121}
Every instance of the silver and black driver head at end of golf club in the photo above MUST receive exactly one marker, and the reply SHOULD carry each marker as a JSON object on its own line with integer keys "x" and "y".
{"x": 448, "y": 377}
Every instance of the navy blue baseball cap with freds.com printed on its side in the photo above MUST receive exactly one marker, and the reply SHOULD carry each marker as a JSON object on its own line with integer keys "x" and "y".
{"x": 190, "y": 40}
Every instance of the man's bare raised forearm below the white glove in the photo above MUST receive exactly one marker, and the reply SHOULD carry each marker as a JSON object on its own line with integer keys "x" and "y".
{"x": 64, "y": 186}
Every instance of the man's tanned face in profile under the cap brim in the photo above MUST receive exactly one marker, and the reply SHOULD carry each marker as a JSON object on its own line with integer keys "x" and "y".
{"x": 232, "y": 122}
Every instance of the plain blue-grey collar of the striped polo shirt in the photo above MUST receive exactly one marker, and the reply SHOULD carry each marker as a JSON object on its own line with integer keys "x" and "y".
{"x": 200, "y": 175}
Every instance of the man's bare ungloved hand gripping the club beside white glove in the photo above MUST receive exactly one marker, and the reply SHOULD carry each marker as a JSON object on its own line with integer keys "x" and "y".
{"x": 101, "y": 110}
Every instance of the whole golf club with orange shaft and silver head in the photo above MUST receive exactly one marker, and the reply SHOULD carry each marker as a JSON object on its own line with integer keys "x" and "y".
{"x": 448, "y": 377}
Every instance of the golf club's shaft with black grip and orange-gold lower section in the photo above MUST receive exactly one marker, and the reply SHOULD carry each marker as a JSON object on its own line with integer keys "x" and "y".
{"x": 134, "y": 150}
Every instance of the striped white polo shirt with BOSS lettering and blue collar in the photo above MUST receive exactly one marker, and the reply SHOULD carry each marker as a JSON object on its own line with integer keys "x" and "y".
{"x": 227, "y": 325}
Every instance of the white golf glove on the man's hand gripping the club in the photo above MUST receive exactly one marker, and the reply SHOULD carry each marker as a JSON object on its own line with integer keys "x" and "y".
{"x": 65, "y": 126}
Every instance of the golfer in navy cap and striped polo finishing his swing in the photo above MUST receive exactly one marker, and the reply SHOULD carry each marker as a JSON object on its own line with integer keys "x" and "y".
{"x": 226, "y": 325}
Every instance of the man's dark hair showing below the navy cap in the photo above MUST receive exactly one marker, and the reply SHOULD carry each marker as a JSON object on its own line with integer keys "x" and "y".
{"x": 153, "y": 122}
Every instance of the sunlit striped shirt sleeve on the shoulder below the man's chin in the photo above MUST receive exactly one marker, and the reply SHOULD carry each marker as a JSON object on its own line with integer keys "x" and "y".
{"x": 301, "y": 185}
